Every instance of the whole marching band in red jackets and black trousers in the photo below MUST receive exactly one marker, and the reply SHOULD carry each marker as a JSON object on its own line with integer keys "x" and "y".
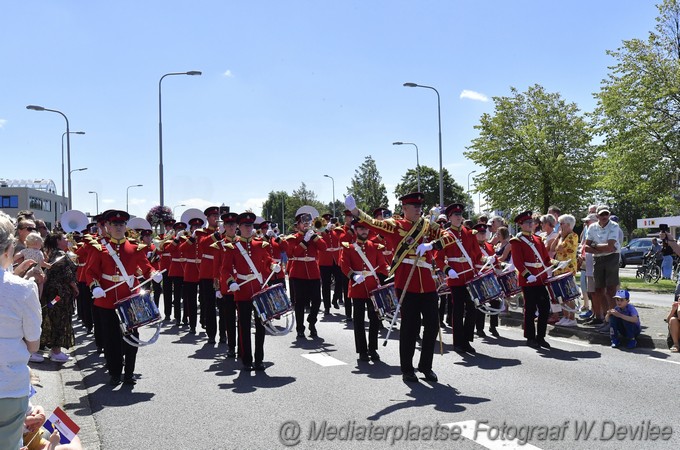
{"x": 382, "y": 267}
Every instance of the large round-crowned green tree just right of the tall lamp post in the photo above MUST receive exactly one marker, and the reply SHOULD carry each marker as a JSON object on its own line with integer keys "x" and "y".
{"x": 536, "y": 152}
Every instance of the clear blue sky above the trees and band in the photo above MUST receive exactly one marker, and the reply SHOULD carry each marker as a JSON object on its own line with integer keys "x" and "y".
{"x": 290, "y": 91}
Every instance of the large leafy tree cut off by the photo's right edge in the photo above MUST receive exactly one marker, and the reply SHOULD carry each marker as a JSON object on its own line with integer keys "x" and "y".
{"x": 638, "y": 115}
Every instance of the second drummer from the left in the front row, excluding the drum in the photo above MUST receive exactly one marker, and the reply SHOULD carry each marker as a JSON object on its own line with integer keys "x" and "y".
{"x": 250, "y": 262}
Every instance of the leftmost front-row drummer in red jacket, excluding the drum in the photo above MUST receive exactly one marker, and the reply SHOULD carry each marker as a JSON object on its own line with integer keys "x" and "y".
{"x": 114, "y": 264}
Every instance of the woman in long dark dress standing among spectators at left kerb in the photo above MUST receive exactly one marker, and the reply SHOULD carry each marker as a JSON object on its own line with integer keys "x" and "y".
{"x": 59, "y": 282}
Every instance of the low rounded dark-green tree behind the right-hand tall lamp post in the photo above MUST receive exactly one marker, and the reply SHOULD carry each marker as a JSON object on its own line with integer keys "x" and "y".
{"x": 429, "y": 186}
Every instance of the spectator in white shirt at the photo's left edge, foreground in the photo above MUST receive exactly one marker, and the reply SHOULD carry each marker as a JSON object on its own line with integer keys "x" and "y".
{"x": 20, "y": 320}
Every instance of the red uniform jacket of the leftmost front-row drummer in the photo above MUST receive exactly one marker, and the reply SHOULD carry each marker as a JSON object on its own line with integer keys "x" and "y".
{"x": 103, "y": 271}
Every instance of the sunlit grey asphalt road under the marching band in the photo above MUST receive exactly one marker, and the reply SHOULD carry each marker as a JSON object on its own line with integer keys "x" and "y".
{"x": 190, "y": 396}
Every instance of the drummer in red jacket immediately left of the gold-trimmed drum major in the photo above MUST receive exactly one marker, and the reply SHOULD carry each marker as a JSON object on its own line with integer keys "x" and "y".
{"x": 364, "y": 279}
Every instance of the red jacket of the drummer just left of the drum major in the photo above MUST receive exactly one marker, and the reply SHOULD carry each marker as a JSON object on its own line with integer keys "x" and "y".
{"x": 351, "y": 263}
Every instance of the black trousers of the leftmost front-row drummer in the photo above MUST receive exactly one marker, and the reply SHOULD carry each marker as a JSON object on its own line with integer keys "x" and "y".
{"x": 118, "y": 353}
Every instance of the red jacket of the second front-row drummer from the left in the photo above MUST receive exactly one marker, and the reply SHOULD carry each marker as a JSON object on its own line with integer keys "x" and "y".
{"x": 233, "y": 262}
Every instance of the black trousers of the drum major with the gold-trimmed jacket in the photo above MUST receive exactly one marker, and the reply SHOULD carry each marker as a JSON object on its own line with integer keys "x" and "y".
{"x": 418, "y": 309}
